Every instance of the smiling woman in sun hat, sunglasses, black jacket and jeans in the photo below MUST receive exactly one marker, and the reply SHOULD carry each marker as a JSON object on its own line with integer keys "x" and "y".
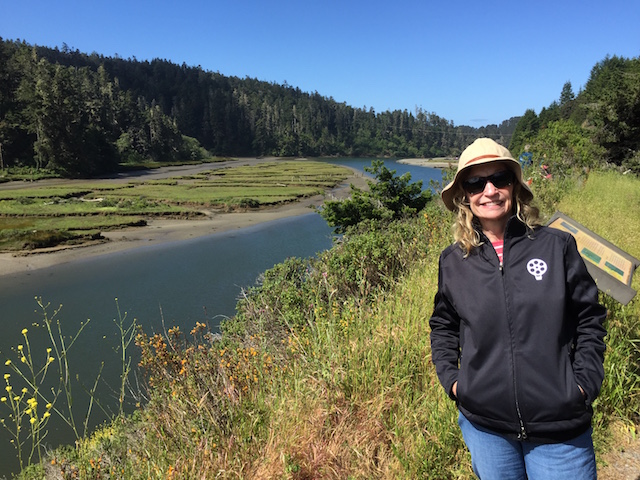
{"x": 517, "y": 331}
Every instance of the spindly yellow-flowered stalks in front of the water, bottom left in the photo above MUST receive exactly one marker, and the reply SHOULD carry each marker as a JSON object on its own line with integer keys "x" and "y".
{"x": 40, "y": 385}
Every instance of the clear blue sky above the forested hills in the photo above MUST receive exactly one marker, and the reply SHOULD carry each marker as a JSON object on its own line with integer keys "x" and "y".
{"x": 471, "y": 62}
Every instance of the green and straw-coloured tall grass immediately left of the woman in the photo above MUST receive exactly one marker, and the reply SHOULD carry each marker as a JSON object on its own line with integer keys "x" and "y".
{"x": 367, "y": 403}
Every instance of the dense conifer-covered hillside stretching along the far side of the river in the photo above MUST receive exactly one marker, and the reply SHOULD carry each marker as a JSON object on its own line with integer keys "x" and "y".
{"x": 83, "y": 114}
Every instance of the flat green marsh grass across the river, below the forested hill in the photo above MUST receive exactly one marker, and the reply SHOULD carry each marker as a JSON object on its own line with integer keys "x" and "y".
{"x": 65, "y": 209}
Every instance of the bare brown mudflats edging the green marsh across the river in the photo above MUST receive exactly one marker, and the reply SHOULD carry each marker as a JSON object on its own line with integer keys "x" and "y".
{"x": 170, "y": 230}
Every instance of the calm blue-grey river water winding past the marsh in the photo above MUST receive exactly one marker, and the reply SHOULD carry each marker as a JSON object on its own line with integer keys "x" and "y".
{"x": 171, "y": 284}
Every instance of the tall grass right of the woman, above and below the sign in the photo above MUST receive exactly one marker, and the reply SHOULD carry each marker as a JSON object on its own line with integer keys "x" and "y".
{"x": 608, "y": 203}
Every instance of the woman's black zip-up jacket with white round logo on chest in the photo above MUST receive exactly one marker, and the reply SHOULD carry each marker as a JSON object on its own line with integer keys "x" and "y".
{"x": 520, "y": 339}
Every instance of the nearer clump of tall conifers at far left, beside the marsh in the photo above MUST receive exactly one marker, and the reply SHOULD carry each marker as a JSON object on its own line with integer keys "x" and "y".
{"x": 77, "y": 121}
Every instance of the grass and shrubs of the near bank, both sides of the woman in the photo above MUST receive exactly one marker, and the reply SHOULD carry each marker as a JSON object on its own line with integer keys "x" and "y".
{"x": 325, "y": 371}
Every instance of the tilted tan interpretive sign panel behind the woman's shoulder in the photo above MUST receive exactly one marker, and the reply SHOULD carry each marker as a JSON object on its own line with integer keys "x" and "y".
{"x": 610, "y": 267}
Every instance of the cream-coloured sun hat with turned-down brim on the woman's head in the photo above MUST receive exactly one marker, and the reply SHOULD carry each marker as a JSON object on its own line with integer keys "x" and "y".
{"x": 483, "y": 150}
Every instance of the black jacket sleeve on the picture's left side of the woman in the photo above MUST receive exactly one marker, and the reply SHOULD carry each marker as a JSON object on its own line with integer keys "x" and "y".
{"x": 445, "y": 337}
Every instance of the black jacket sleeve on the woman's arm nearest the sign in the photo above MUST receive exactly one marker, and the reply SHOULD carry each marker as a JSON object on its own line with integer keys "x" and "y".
{"x": 590, "y": 316}
